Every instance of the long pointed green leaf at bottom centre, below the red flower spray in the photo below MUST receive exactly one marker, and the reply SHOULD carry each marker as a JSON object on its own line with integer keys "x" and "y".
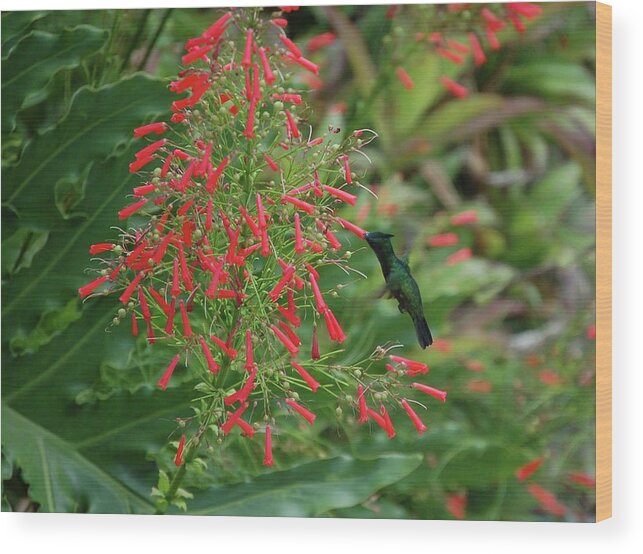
{"x": 306, "y": 490}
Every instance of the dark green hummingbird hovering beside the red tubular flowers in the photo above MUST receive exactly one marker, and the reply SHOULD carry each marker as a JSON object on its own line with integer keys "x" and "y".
{"x": 400, "y": 283}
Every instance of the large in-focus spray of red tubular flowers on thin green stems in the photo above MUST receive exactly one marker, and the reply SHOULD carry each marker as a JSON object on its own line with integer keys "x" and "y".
{"x": 233, "y": 221}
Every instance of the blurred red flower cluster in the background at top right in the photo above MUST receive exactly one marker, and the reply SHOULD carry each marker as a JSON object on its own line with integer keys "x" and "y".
{"x": 484, "y": 24}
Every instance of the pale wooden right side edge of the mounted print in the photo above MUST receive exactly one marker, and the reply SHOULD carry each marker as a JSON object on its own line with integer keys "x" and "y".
{"x": 603, "y": 261}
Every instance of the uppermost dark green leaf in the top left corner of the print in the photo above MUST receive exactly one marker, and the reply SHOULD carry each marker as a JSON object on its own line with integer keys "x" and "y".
{"x": 37, "y": 58}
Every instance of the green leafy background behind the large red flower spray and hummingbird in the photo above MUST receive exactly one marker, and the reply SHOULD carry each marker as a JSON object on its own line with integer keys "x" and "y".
{"x": 83, "y": 427}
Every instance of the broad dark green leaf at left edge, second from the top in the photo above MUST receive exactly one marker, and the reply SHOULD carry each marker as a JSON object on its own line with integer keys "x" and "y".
{"x": 97, "y": 123}
